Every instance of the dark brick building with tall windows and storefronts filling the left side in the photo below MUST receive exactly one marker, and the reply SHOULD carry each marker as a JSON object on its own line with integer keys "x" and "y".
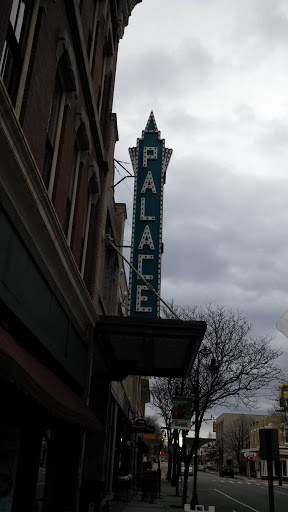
{"x": 57, "y": 138}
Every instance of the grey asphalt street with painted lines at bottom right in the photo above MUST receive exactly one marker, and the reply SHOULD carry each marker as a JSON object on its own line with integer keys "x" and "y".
{"x": 236, "y": 495}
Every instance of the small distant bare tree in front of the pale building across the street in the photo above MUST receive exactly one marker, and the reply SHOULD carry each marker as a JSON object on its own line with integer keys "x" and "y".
{"x": 237, "y": 437}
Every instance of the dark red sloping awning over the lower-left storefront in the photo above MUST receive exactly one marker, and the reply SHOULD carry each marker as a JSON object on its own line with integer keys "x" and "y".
{"x": 19, "y": 367}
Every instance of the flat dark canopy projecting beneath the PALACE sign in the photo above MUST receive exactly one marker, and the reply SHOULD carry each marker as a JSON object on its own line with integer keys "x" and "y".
{"x": 146, "y": 346}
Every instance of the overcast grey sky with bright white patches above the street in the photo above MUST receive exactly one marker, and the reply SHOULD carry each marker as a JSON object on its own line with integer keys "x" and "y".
{"x": 215, "y": 73}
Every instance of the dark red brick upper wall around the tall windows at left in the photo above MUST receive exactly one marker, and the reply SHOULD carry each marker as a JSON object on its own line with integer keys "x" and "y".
{"x": 53, "y": 22}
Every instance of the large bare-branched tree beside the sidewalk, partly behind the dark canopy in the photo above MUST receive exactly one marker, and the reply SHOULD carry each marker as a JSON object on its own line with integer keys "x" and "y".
{"x": 244, "y": 365}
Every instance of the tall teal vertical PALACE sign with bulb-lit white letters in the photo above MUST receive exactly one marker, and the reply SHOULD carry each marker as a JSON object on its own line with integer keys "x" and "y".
{"x": 150, "y": 160}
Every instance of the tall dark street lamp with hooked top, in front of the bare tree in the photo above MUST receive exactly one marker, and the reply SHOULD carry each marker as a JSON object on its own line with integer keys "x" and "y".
{"x": 213, "y": 369}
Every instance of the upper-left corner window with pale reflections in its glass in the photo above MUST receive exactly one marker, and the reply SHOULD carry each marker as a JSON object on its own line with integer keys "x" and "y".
{"x": 14, "y": 46}
